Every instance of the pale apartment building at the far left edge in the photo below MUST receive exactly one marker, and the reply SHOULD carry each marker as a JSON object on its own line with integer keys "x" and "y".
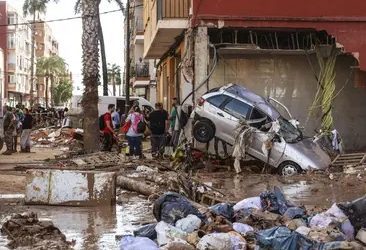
{"x": 15, "y": 41}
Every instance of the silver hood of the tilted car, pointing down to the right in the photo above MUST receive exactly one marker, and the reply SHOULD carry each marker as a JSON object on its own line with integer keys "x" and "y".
{"x": 310, "y": 154}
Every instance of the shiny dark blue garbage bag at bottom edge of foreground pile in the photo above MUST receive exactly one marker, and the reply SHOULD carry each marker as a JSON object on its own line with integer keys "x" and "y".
{"x": 282, "y": 238}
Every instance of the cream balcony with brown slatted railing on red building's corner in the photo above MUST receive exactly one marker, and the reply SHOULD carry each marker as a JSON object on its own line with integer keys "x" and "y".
{"x": 164, "y": 21}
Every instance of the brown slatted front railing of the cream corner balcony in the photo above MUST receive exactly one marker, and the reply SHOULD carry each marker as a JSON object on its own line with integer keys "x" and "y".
{"x": 173, "y": 8}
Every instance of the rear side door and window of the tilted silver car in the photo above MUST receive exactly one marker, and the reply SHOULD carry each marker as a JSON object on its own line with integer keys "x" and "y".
{"x": 233, "y": 110}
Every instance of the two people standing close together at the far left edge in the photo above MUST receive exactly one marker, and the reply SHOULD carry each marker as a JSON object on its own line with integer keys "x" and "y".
{"x": 17, "y": 121}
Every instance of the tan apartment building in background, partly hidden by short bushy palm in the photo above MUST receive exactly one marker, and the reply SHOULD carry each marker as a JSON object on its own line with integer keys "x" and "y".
{"x": 46, "y": 45}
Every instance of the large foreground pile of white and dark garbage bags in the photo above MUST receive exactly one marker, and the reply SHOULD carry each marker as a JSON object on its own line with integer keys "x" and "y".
{"x": 268, "y": 221}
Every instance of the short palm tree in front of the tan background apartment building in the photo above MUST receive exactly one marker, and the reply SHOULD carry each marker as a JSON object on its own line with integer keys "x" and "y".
{"x": 51, "y": 68}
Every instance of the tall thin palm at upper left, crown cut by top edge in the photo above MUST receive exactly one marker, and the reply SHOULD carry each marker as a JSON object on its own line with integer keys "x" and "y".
{"x": 32, "y": 8}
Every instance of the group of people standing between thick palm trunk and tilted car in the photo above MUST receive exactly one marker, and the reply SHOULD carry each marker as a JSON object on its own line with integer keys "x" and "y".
{"x": 161, "y": 124}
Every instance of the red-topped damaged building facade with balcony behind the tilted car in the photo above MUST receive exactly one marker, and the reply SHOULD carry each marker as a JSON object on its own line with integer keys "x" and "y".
{"x": 203, "y": 44}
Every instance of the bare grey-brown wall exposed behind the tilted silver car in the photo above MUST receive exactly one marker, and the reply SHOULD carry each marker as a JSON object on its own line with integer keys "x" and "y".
{"x": 291, "y": 80}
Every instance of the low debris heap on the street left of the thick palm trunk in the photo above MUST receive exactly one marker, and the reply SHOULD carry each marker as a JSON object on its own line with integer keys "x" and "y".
{"x": 53, "y": 137}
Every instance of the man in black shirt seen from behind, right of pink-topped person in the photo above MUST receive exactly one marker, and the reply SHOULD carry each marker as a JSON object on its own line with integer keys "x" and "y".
{"x": 158, "y": 125}
